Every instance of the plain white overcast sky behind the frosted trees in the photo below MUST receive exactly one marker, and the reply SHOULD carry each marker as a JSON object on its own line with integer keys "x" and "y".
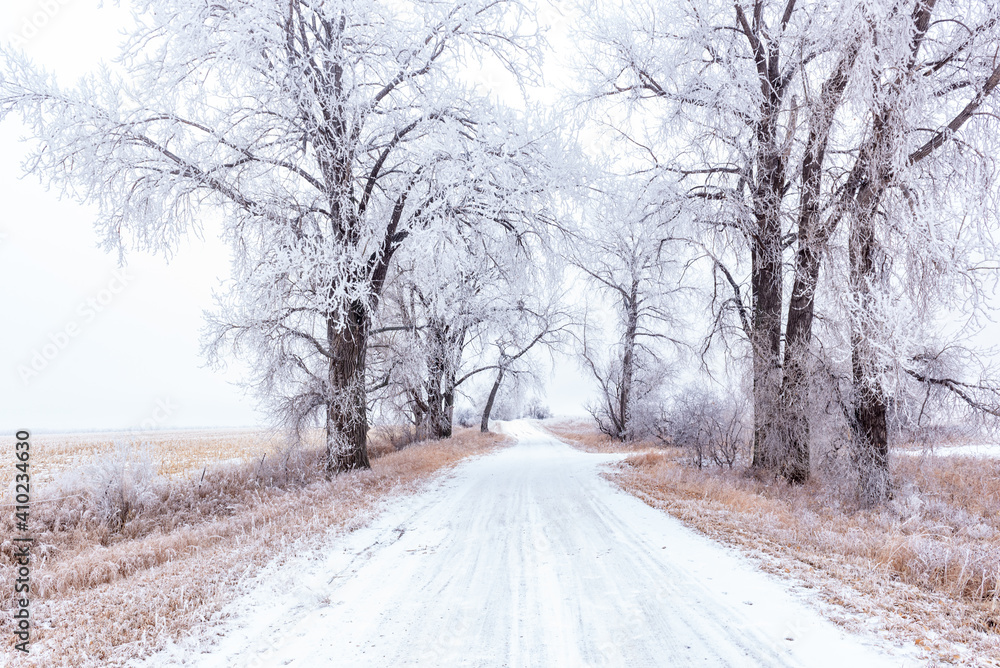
{"x": 116, "y": 353}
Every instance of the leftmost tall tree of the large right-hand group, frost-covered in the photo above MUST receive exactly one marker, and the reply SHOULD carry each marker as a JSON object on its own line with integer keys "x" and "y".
{"x": 708, "y": 95}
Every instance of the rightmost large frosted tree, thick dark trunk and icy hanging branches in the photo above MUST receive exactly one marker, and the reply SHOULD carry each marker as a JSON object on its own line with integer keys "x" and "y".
{"x": 932, "y": 73}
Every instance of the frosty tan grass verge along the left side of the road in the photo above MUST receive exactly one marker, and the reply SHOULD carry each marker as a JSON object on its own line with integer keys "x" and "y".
{"x": 108, "y": 587}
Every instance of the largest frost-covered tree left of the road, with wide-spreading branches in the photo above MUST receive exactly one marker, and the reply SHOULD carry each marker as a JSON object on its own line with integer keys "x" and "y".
{"x": 325, "y": 134}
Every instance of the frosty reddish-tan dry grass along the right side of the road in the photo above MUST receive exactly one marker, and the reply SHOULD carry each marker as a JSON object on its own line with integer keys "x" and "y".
{"x": 927, "y": 565}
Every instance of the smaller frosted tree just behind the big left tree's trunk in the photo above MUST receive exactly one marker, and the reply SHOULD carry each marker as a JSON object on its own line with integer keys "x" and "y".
{"x": 448, "y": 290}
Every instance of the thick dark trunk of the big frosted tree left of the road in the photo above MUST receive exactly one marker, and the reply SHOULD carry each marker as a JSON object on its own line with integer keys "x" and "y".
{"x": 347, "y": 411}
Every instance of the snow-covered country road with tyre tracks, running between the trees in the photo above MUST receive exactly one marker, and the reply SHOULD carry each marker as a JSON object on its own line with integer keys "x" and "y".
{"x": 526, "y": 557}
